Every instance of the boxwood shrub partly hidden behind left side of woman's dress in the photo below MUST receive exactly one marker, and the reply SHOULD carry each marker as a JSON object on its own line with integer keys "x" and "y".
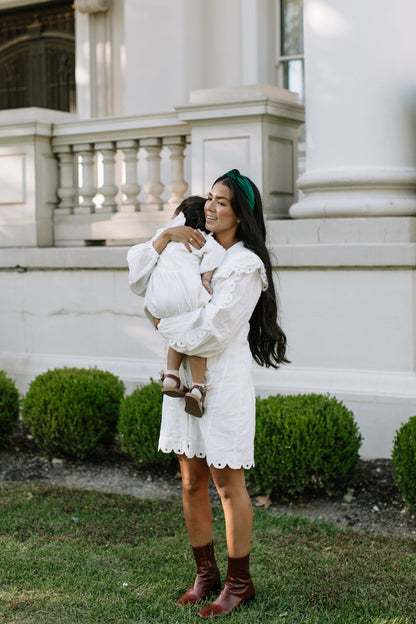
{"x": 138, "y": 427}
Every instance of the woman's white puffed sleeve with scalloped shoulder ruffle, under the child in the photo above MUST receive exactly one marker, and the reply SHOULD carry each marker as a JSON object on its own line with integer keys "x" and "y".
{"x": 208, "y": 330}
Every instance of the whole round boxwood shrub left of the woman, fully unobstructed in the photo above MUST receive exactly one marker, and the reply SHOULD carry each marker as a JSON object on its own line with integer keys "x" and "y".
{"x": 72, "y": 411}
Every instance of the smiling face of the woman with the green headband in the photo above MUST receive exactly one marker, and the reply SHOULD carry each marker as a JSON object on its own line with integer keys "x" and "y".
{"x": 220, "y": 217}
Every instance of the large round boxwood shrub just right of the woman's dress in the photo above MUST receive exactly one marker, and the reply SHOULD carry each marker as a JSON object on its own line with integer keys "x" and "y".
{"x": 303, "y": 442}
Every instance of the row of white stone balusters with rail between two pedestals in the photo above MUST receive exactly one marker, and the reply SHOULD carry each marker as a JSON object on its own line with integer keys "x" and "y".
{"x": 115, "y": 174}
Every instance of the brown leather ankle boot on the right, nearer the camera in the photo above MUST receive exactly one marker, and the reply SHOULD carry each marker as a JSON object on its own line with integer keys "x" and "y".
{"x": 238, "y": 589}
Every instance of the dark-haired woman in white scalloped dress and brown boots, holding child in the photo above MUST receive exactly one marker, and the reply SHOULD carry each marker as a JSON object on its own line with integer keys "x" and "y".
{"x": 238, "y": 324}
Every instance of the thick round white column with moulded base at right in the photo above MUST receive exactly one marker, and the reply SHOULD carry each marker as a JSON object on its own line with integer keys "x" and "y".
{"x": 360, "y": 109}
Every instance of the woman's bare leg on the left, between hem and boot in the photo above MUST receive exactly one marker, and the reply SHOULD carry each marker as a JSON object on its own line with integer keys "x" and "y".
{"x": 196, "y": 504}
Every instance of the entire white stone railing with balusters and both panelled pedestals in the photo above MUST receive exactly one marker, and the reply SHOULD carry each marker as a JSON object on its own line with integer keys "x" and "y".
{"x": 113, "y": 180}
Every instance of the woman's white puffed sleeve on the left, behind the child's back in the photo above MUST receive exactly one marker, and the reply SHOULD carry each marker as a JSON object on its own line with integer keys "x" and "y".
{"x": 143, "y": 258}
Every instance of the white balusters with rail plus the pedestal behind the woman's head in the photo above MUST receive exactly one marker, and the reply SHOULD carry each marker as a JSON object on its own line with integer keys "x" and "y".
{"x": 138, "y": 163}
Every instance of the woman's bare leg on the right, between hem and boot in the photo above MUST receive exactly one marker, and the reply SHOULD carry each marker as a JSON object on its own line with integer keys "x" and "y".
{"x": 238, "y": 510}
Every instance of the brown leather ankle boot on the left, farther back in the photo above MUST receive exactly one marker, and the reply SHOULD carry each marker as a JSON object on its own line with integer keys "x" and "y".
{"x": 207, "y": 578}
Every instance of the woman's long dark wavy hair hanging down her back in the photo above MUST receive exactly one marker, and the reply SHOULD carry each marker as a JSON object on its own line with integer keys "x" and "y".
{"x": 266, "y": 338}
